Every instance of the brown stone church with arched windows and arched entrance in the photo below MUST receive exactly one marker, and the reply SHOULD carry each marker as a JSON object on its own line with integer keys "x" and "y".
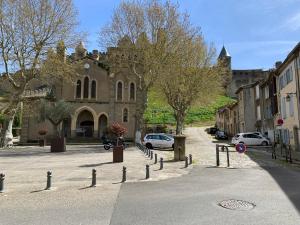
{"x": 106, "y": 91}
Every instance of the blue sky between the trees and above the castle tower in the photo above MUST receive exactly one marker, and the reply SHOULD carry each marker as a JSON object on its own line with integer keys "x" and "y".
{"x": 256, "y": 33}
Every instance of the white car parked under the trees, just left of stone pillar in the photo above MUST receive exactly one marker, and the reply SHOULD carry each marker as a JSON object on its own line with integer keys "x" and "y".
{"x": 158, "y": 141}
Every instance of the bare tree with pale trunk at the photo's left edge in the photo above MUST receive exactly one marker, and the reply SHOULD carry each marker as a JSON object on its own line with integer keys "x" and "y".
{"x": 29, "y": 30}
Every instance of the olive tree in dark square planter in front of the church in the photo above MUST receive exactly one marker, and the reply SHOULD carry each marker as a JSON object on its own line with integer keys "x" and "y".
{"x": 56, "y": 112}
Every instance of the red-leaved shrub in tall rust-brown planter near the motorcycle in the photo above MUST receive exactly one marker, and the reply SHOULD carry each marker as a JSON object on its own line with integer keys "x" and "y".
{"x": 118, "y": 132}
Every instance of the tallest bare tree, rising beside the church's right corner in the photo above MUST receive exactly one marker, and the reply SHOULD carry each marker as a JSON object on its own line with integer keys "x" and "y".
{"x": 147, "y": 23}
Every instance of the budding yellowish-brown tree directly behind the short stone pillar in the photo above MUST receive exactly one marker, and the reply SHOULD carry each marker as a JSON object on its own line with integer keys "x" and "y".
{"x": 194, "y": 78}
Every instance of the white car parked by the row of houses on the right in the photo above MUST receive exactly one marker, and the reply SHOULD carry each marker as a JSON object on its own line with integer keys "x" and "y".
{"x": 252, "y": 138}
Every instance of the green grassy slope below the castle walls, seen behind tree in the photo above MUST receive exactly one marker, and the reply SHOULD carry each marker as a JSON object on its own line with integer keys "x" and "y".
{"x": 159, "y": 112}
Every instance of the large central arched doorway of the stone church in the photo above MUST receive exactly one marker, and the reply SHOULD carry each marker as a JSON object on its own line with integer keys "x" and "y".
{"x": 85, "y": 124}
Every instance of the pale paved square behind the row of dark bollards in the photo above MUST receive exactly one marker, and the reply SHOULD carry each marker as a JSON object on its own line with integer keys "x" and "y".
{"x": 25, "y": 168}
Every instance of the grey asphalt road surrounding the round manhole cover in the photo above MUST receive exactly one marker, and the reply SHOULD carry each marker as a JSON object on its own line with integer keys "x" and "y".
{"x": 193, "y": 199}
